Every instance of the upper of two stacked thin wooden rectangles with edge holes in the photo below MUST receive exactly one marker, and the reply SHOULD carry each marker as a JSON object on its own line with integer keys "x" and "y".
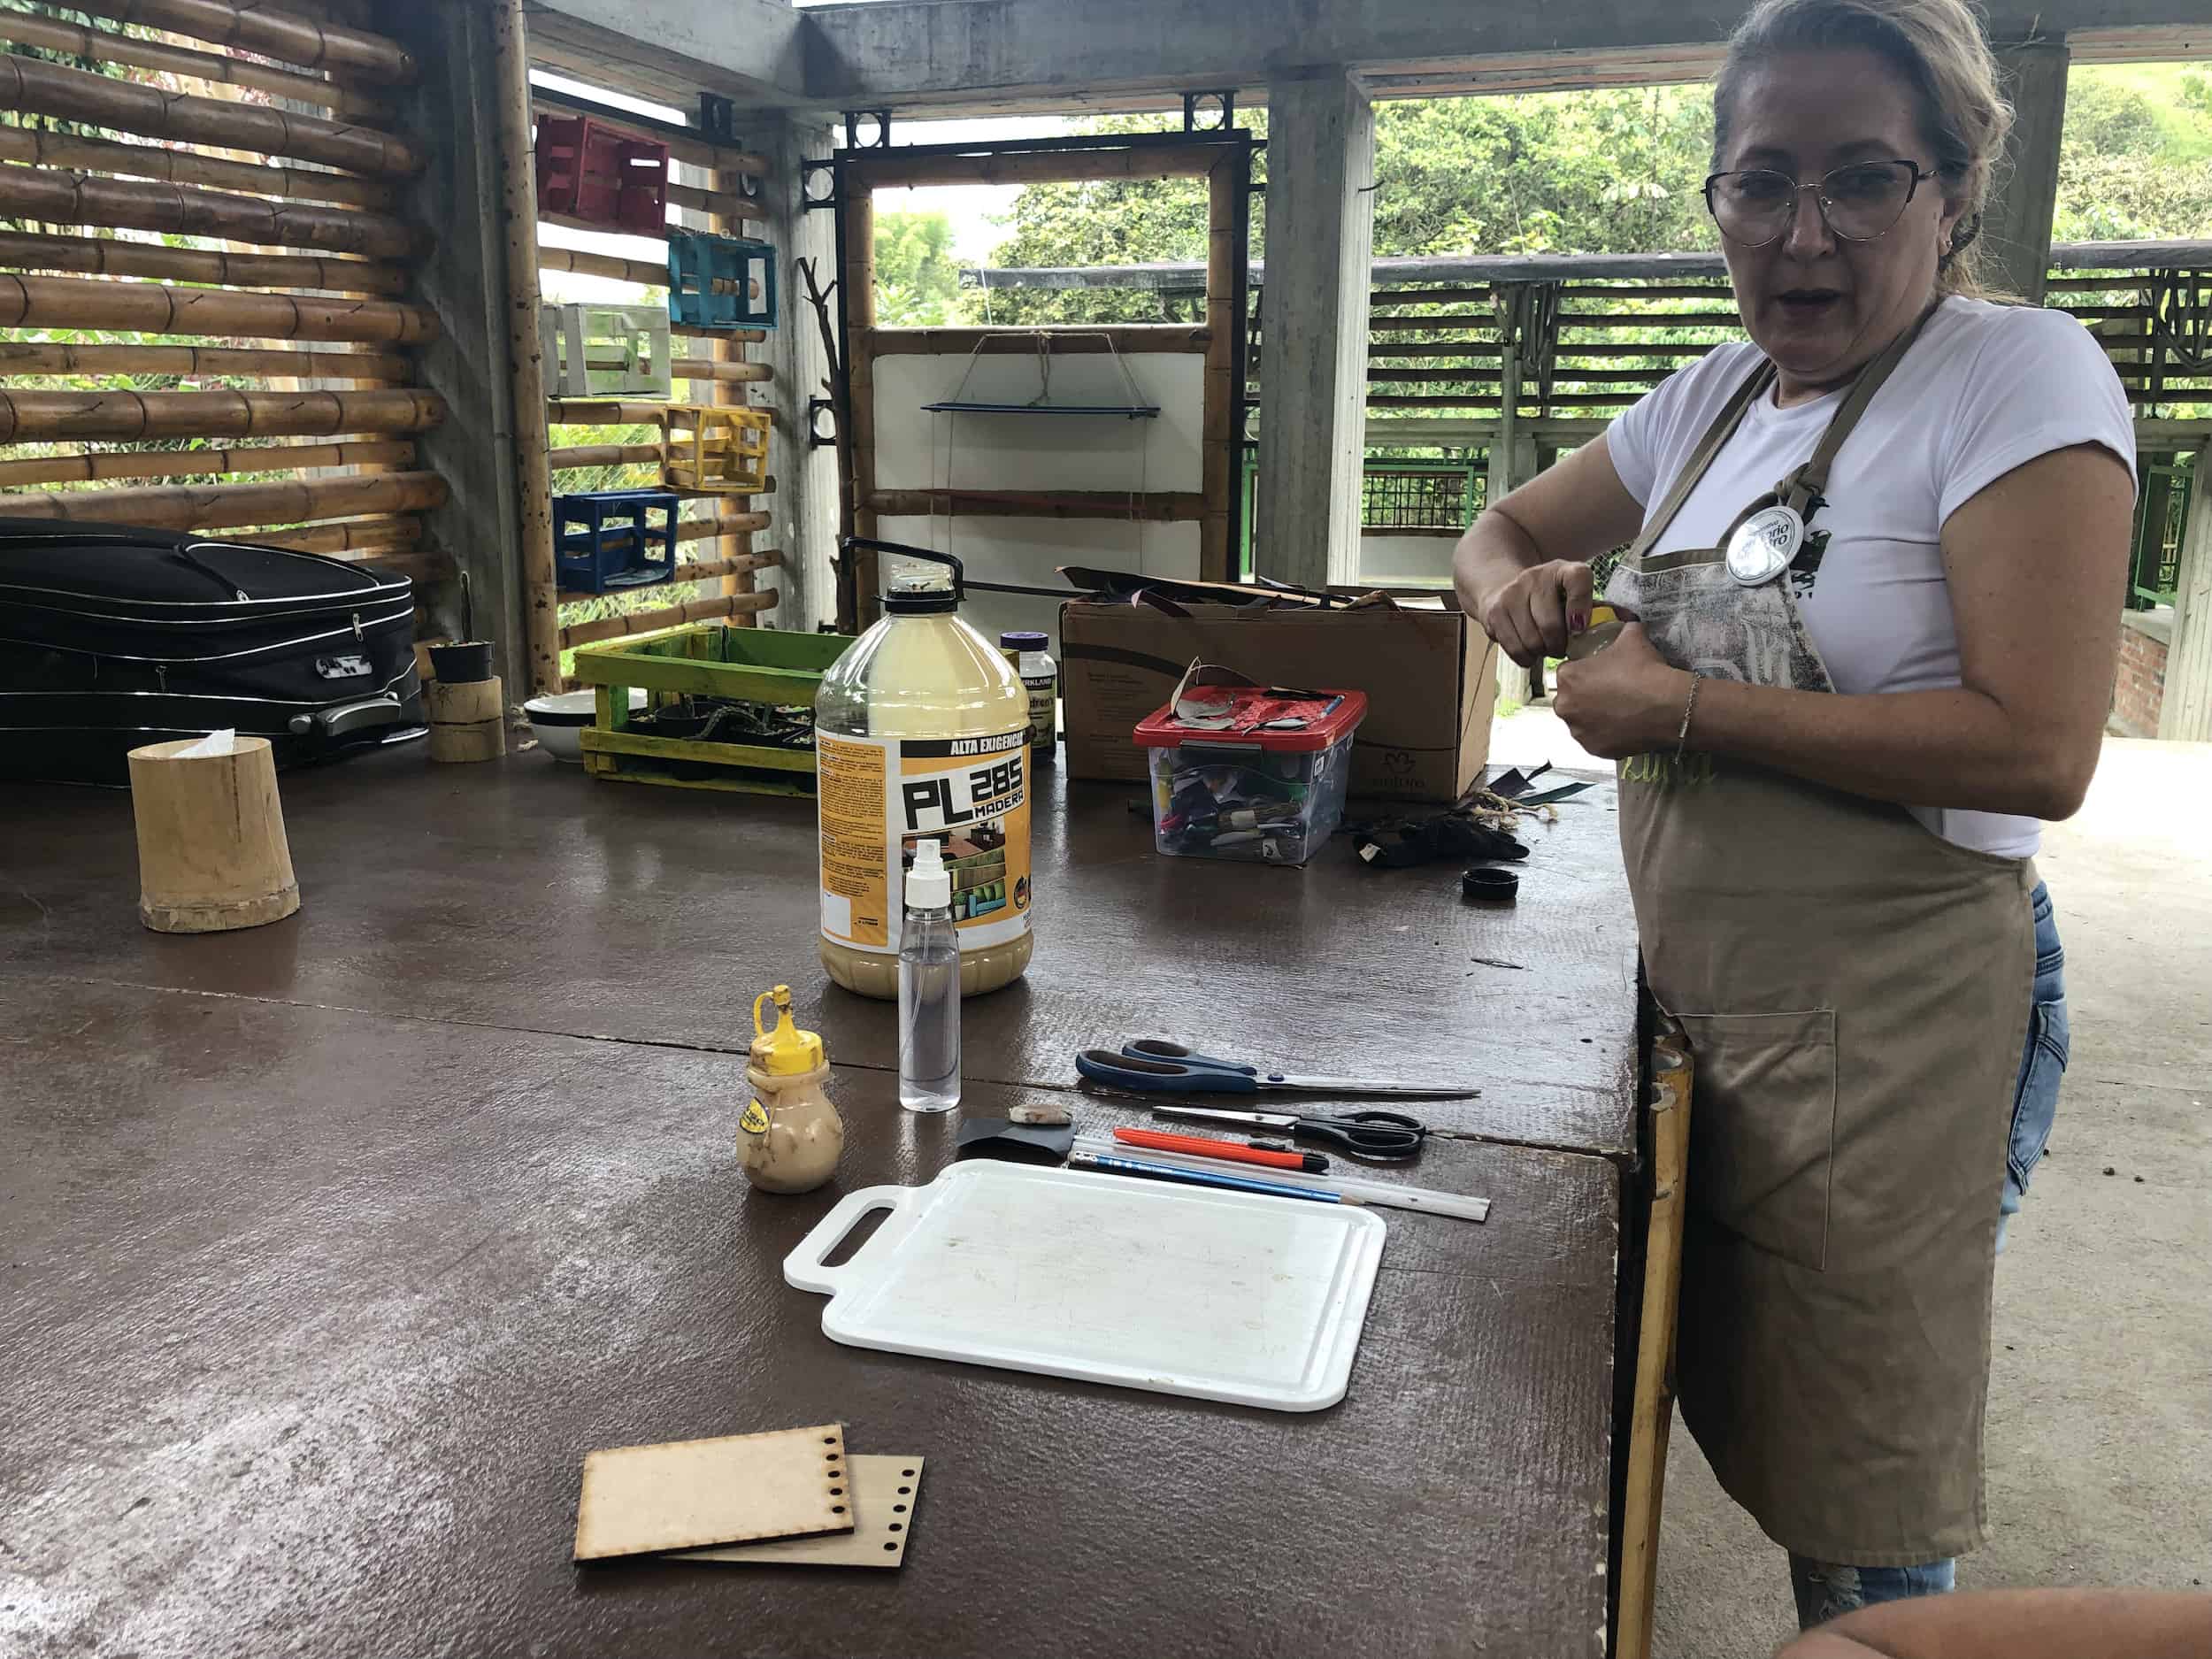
{"x": 742, "y": 1488}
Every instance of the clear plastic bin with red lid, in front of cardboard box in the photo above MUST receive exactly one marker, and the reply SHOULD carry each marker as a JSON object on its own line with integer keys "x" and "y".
{"x": 1253, "y": 773}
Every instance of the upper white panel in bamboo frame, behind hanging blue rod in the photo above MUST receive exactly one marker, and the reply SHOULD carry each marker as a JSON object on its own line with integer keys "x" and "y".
{"x": 917, "y": 450}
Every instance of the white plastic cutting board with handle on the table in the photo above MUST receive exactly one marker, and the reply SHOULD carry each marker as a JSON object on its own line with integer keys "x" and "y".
{"x": 1105, "y": 1277}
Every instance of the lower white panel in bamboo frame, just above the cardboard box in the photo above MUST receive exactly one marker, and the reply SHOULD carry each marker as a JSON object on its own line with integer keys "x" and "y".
{"x": 1030, "y": 550}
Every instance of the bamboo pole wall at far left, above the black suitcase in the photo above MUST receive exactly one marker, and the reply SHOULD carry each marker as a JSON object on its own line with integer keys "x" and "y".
{"x": 207, "y": 253}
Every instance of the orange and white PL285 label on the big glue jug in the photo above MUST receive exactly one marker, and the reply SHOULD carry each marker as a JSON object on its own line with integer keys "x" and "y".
{"x": 881, "y": 797}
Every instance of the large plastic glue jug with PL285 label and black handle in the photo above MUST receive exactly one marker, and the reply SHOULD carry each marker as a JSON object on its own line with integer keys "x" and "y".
{"x": 921, "y": 731}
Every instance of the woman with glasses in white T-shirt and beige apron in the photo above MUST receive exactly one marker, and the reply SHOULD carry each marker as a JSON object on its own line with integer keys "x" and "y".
{"x": 1875, "y": 565}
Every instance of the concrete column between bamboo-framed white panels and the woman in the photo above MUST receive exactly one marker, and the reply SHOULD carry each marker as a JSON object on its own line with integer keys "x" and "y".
{"x": 1313, "y": 377}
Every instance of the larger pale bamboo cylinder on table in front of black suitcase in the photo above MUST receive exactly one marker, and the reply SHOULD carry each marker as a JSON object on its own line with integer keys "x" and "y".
{"x": 213, "y": 853}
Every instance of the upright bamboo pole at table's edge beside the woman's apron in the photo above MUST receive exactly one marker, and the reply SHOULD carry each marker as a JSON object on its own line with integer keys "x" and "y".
{"x": 1653, "y": 1404}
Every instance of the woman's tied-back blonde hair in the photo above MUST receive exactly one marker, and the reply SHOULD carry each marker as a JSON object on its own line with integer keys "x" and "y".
{"x": 1941, "y": 52}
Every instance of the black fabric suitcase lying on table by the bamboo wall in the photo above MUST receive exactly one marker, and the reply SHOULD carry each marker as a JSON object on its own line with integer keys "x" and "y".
{"x": 114, "y": 638}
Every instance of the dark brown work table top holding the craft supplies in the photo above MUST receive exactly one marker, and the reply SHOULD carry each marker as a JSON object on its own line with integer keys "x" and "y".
{"x": 337, "y": 1244}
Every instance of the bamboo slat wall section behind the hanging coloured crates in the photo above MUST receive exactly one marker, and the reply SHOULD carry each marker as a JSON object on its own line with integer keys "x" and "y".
{"x": 720, "y": 561}
